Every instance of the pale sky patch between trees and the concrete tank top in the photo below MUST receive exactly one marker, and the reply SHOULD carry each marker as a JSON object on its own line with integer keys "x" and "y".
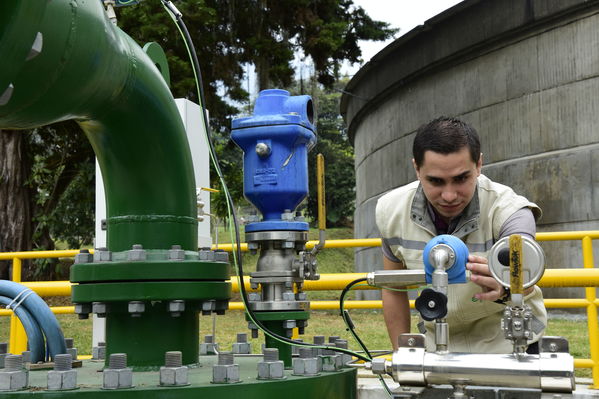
{"x": 402, "y": 14}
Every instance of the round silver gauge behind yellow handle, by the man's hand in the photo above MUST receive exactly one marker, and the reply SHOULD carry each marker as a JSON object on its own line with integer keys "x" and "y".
{"x": 533, "y": 261}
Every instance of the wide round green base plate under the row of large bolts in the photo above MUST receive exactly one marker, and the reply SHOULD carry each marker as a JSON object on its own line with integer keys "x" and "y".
{"x": 337, "y": 385}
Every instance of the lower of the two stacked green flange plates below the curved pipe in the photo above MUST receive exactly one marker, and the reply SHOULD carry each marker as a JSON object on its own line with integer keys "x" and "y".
{"x": 150, "y": 291}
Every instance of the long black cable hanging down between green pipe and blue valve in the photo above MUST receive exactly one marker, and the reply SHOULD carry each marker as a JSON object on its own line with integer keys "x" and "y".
{"x": 229, "y": 199}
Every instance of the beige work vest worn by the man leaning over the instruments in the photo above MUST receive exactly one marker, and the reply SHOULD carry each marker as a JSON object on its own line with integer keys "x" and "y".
{"x": 403, "y": 220}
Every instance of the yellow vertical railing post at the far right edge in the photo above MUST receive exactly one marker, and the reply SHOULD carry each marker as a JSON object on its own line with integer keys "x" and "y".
{"x": 588, "y": 262}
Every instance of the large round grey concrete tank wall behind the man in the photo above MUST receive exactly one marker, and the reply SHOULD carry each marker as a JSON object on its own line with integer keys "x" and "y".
{"x": 525, "y": 74}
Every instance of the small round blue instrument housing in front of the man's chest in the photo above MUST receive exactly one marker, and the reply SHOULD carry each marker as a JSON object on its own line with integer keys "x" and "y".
{"x": 457, "y": 272}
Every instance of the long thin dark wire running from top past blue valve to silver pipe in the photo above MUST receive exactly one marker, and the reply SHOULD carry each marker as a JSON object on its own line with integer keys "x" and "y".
{"x": 237, "y": 259}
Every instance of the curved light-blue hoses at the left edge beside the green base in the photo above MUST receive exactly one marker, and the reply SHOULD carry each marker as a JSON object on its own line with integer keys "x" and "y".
{"x": 40, "y": 314}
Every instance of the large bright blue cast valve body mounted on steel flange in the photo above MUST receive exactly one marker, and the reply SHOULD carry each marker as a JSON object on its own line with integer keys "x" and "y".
{"x": 275, "y": 141}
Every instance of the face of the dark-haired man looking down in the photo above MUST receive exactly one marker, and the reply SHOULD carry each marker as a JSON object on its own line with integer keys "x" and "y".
{"x": 448, "y": 180}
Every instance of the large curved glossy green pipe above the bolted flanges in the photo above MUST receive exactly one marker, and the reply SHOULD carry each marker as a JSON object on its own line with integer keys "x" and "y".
{"x": 91, "y": 71}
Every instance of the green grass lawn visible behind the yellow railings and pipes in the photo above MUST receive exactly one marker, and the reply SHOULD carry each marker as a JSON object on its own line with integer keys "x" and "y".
{"x": 369, "y": 323}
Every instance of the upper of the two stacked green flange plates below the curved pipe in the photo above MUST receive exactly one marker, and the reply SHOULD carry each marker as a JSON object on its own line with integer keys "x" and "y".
{"x": 149, "y": 270}
